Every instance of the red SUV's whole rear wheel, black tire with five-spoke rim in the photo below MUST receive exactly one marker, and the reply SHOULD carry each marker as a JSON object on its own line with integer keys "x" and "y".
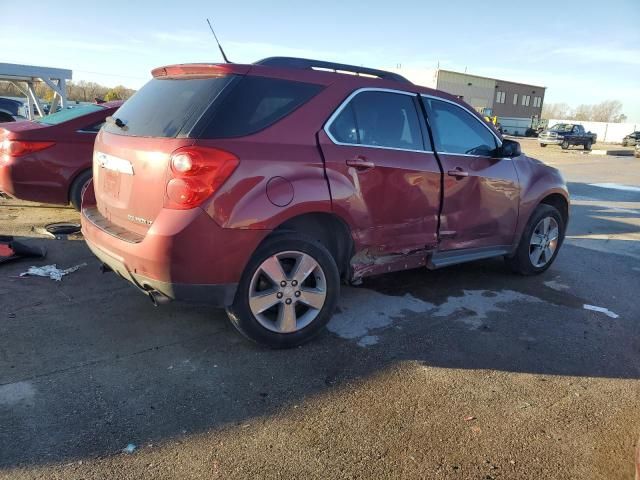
{"x": 287, "y": 293}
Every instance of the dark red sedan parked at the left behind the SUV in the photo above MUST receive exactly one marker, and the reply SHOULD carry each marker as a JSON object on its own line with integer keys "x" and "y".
{"x": 49, "y": 159}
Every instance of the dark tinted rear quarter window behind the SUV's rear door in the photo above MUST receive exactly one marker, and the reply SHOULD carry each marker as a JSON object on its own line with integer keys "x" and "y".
{"x": 256, "y": 103}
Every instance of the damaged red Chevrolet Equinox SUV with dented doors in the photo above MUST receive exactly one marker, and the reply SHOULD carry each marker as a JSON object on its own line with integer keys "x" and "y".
{"x": 260, "y": 187}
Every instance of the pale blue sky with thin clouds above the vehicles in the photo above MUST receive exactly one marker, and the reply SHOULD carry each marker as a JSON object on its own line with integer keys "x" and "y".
{"x": 583, "y": 52}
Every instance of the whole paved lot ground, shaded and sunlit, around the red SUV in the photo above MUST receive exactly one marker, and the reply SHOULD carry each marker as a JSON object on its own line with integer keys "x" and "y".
{"x": 467, "y": 372}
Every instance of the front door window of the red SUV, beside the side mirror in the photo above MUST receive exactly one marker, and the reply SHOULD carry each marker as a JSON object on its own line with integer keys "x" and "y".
{"x": 456, "y": 131}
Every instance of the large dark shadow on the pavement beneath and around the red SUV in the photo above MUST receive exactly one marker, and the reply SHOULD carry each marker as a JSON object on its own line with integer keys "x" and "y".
{"x": 88, "y": 365}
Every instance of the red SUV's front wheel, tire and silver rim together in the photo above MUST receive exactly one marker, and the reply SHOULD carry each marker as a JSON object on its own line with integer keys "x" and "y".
{"x": 540, "y": 242}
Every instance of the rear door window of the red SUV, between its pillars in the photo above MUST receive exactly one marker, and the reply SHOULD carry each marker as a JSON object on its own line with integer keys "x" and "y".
{"x": 379, "y": 119}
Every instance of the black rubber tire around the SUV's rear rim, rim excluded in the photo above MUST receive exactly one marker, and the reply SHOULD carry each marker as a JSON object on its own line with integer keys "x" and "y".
{"x": 240, "y": 313}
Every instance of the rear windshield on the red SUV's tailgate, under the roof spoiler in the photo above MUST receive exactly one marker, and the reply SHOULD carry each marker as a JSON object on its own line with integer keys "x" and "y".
{"x": 168, "y": 107}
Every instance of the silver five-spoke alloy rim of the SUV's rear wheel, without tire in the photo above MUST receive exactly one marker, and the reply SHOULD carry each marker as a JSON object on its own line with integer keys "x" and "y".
{"x": 287, "y": 291}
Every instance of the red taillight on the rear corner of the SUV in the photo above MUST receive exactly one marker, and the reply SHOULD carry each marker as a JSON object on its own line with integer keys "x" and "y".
{"x": 196, "y": 173}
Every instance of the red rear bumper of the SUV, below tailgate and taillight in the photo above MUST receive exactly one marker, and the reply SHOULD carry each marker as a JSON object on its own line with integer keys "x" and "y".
{"x": 184, "y": 255}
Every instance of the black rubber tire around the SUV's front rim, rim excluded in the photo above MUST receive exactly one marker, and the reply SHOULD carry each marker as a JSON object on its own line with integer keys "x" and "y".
{"x": 521, "y": 262}
